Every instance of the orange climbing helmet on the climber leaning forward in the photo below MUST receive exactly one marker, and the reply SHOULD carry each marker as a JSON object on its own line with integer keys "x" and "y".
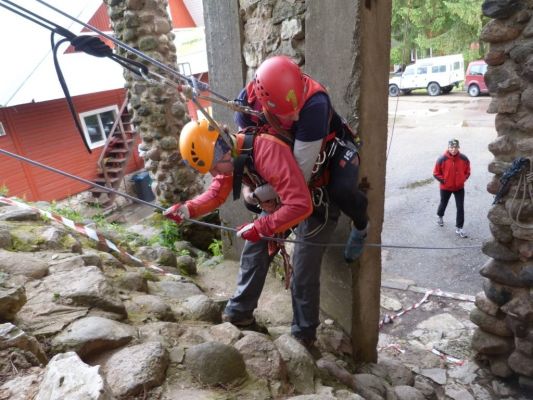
{"x": 197, "y": 145}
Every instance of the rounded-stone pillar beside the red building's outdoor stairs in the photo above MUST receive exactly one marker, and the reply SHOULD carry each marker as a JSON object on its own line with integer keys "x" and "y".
{"x": 158, "y": 111}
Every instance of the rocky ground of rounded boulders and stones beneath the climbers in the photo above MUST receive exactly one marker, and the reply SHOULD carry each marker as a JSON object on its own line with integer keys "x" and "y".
{"x": 80, "y": 321}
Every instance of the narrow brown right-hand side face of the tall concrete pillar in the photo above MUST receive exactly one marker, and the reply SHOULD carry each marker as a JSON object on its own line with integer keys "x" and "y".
{"x": 375, "y": 33}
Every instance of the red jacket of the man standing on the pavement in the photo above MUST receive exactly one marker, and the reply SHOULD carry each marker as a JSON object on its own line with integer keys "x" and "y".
{"x": 452, "y": 171}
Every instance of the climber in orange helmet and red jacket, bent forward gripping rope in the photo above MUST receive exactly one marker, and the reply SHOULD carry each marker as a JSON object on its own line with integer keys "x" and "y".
{"x": 267, "y": 160}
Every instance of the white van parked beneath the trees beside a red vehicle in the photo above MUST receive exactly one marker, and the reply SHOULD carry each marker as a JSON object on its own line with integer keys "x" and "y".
{"x": 437, "y": 75}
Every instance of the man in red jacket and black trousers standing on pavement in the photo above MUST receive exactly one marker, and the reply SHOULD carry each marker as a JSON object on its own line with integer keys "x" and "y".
{"x": 452, "y": 169}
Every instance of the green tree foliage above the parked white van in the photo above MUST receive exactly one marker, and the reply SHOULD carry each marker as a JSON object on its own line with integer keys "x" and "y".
{"x": 435, "y": 28}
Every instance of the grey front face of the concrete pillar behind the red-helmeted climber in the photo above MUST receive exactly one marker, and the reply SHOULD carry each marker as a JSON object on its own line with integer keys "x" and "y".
{"x": 331, "y": 57}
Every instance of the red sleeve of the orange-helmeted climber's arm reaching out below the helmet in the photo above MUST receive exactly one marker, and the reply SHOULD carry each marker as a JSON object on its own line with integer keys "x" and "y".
{"x": 212, "y": 198}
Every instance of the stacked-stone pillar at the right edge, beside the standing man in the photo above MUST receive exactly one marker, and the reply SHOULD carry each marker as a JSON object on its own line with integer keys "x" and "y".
{"x": 504, "y": 313}
